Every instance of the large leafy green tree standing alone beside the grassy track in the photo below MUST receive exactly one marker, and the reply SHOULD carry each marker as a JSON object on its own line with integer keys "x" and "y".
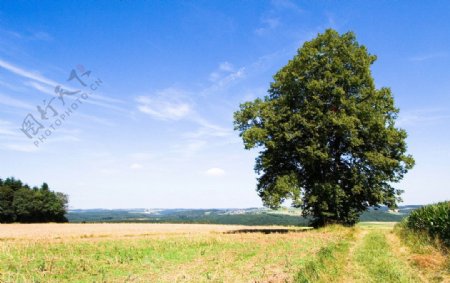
{"x": 326, "y": 134}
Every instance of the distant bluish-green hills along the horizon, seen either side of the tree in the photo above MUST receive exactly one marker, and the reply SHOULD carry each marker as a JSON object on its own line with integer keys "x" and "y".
{"x": 247, "y": 216}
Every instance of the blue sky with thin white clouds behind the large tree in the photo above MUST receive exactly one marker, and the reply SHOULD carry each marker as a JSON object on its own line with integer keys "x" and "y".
{"x": 158, "y": 132}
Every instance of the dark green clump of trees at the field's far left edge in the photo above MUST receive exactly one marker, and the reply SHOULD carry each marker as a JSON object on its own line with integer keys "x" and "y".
{"x": 21, "y": 203}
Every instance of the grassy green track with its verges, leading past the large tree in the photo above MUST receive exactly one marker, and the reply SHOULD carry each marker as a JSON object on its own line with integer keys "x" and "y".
{"x": 365, "y": 255}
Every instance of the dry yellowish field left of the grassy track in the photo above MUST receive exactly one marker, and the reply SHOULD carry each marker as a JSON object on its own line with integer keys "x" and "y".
{"x": 155, "y": 252}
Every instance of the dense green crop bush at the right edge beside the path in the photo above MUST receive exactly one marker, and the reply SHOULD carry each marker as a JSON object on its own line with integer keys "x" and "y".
{"x": 432, "y": 219}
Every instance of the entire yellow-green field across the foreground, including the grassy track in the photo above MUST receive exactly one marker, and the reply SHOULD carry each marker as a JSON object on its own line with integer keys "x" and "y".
{"x": 207, "y": 253}
